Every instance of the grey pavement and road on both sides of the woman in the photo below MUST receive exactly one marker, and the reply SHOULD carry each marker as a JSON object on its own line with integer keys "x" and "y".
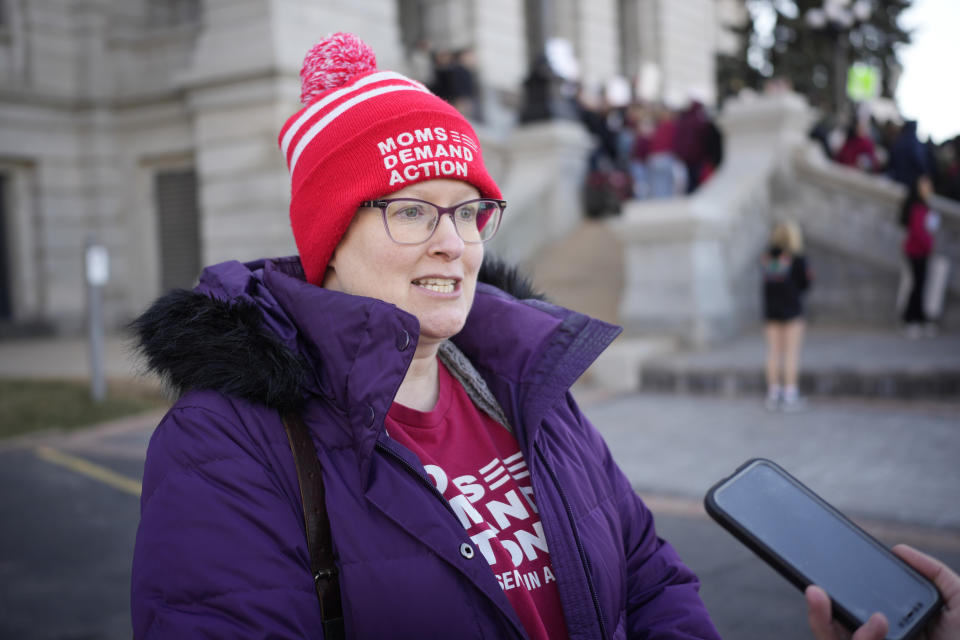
{"x": 69, "y": 506}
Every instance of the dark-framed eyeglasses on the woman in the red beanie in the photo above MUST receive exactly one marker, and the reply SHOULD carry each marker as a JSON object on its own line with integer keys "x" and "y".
{"x": 412, "y": 221}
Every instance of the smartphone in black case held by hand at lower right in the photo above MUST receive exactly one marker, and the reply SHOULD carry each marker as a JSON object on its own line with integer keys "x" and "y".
{"x": 810, "y": 542}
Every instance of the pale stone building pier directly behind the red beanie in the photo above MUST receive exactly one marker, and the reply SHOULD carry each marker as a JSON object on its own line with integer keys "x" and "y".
{"x": 241, "y": 89}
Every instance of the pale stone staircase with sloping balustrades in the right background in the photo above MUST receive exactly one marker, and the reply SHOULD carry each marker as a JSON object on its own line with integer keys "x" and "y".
{"x": 680, "y": 274}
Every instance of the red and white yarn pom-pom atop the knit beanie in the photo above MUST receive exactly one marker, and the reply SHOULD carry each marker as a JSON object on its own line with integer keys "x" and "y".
{"x": 331, "y": 62}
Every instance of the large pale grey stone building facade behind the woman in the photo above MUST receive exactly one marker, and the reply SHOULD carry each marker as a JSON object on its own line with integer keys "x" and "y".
{"x": 149, "y": 126}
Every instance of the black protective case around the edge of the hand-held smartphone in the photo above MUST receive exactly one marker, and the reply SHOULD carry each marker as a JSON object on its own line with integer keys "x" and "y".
{"x": 799, "y": 580}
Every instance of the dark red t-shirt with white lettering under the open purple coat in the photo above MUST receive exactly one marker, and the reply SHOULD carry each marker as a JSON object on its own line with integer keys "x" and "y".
{"x": 478, "y": 467}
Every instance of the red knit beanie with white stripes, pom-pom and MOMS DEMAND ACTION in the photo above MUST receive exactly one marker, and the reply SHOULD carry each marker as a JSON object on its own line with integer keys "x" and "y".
{"x": 362, "y": 135}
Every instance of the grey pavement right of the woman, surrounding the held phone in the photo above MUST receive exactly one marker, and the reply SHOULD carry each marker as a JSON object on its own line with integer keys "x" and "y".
{"x": 890, "y": 465}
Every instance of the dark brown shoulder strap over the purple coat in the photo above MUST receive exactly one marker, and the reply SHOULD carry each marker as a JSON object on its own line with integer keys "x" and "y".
{"x": 317, "y": 525}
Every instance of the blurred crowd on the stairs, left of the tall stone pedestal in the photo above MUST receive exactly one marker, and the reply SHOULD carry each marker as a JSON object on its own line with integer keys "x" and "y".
{"x": 647, "y": 150}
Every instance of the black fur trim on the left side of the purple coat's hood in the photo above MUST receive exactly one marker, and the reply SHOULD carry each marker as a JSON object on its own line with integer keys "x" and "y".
{"x": 196, "y": 342}
